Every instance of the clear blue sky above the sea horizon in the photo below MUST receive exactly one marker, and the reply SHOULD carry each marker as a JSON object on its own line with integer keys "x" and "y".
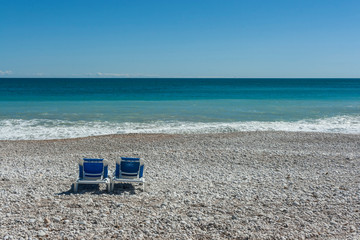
{"x": 180, "y": 38}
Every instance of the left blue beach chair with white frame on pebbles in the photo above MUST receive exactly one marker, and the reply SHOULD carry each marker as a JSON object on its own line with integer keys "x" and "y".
{"x": 93, "y": 171}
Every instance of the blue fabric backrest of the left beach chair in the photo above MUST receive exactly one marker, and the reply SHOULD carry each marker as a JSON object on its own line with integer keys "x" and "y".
{"x": 93, "y": 168}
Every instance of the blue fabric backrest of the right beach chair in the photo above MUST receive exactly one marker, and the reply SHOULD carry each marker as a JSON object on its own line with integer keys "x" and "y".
{"x": 129, "y": 168}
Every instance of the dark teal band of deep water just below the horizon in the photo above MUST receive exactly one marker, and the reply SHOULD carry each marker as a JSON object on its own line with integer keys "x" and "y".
{"x": 95, "y": 89}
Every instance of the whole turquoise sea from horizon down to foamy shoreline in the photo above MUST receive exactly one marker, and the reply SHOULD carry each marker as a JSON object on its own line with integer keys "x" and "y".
{"x": 58, "y": 108}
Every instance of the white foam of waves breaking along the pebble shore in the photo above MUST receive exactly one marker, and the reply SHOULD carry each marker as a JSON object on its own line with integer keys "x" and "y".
{"x": 15, "y": 129}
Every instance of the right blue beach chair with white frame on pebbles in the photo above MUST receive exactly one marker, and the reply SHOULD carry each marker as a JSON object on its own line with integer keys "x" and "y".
{"x": 128, "y": 170}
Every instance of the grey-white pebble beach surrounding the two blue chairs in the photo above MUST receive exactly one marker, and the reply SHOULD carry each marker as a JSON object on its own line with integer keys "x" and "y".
{"x": 247, "y": 185}
